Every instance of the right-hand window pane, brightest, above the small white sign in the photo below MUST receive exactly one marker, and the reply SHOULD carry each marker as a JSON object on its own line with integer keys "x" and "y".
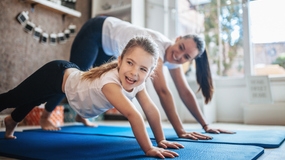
{"x": 268, "y": 36}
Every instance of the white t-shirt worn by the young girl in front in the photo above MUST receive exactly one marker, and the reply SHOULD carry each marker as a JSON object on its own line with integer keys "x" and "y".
{"x": 86, "y": 97}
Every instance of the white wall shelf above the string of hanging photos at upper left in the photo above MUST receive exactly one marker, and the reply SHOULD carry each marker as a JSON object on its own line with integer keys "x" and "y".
{"x": 55, "y": 7}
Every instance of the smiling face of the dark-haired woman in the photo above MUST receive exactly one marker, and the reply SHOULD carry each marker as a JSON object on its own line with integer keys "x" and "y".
{"x": 183, "y": 50}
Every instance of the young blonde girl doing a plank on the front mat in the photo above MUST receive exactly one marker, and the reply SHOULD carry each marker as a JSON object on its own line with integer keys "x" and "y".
{"x": 95, "y": 91}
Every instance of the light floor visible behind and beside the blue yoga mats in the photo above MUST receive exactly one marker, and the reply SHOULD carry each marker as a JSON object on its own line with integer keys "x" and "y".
{"x": 269, "y": 154}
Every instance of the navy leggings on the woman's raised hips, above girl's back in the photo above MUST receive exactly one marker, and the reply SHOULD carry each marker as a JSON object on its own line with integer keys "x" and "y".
{"x": 86, "y": 50}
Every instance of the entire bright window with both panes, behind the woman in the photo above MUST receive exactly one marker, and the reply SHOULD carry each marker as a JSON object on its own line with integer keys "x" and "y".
{"x": 228, "y": 29}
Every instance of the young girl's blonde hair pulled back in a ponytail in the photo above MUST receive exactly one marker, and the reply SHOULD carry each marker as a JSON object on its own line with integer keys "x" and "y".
{"x": 146, "y": 43}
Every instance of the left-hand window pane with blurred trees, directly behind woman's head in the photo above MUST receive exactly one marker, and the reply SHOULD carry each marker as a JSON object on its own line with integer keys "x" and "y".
{"x": 220, "y": 22}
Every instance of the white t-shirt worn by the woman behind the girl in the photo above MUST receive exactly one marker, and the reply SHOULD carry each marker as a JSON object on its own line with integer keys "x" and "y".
{"x": 117, "y": 33}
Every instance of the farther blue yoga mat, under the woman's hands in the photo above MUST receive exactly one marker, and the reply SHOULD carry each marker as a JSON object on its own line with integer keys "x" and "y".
{"x": 262, "y": 138}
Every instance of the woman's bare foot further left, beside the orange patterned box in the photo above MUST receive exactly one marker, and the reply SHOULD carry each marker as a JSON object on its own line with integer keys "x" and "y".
{"x": 46, "y": 124}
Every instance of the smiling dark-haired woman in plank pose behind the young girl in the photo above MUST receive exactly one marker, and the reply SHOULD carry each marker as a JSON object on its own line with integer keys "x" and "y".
{"x": 101, "y": 38}
